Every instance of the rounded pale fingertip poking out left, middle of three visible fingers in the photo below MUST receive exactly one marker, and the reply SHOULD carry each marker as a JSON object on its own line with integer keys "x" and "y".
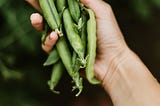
{"x": 37, "y": 21}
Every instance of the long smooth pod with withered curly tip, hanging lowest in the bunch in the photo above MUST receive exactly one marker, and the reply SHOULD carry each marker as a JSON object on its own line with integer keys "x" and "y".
{"x": 65, "y": 55}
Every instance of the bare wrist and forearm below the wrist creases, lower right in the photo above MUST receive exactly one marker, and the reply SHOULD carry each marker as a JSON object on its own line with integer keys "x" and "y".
{"x": 128, "y": 81}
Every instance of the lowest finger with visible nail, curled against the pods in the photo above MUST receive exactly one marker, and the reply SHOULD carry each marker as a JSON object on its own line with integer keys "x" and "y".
{"x": 50, "y": 42}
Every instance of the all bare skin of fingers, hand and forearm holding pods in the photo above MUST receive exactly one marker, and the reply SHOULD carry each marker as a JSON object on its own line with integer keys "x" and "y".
{"x": 122, "y": 74}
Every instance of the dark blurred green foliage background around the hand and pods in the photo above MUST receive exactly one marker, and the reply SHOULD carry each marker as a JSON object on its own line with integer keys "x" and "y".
{"x": 23, "y": 79}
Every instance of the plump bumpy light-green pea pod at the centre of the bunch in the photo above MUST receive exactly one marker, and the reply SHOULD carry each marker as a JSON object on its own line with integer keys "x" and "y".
{"x": 73, "y": 36}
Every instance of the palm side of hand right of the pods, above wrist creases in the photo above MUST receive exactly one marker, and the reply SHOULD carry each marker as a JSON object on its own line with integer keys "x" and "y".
{"x": 110, "y": 41}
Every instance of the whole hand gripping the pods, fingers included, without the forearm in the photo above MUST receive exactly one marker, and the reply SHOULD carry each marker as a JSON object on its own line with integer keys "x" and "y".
{"x": 110, "y": 42}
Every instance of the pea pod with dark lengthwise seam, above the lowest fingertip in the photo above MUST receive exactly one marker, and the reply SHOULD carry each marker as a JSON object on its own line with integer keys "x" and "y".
{"x": 50, "y": 14}
